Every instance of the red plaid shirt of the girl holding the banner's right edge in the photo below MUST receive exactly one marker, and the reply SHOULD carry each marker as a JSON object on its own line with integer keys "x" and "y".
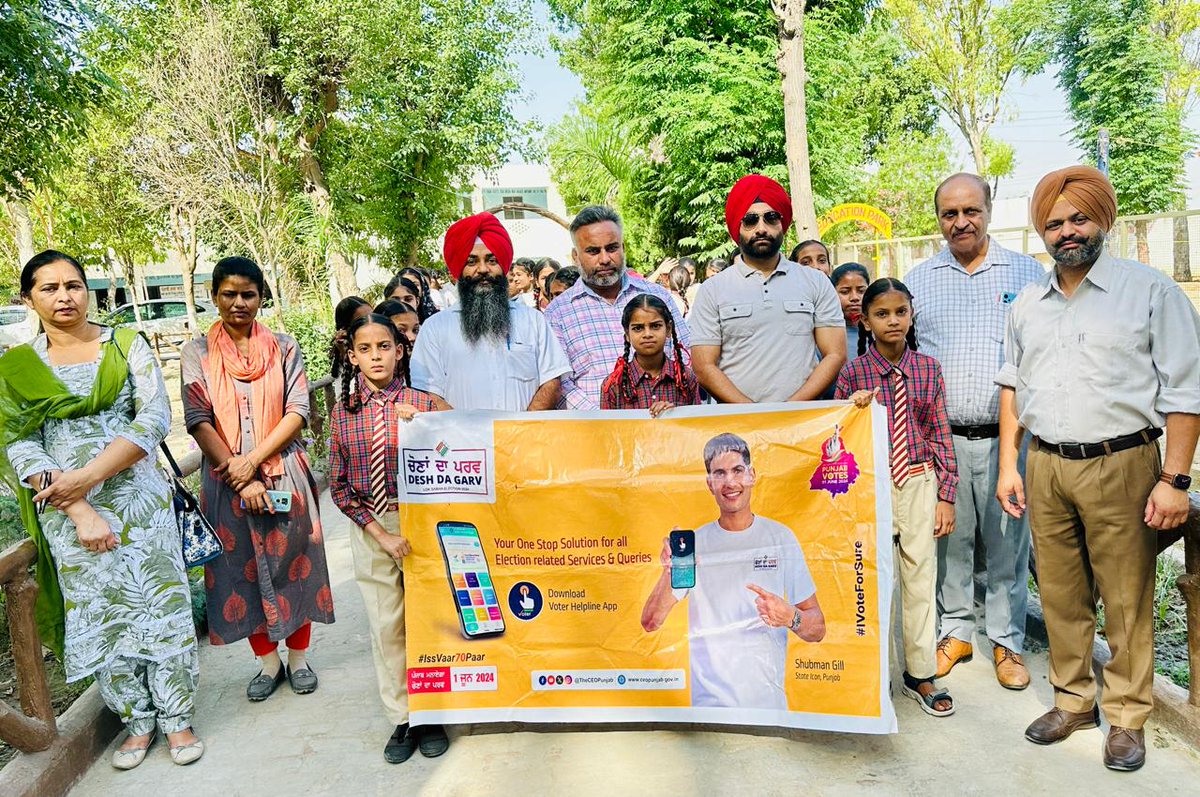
{"x": 928, "y": 433}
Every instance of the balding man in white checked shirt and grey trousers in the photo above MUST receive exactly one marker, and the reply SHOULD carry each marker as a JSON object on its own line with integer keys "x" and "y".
{"x": 963, "y": 297}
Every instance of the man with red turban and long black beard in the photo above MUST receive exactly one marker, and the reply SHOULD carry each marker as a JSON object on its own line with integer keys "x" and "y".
{"x": 487, "y": 352}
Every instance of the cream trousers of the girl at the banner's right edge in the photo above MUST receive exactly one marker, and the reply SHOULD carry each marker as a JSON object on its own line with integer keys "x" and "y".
{"x": 913, "y": 528}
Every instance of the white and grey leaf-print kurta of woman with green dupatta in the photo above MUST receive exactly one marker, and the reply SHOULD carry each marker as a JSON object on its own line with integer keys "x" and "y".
{"x": 134, "y": 602}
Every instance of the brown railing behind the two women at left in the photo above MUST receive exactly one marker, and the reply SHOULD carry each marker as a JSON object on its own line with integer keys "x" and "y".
{"x": 34, "y": 728}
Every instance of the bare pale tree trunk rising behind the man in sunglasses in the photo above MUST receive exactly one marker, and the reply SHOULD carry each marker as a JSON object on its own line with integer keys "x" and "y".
{"x": 790, "y": 15}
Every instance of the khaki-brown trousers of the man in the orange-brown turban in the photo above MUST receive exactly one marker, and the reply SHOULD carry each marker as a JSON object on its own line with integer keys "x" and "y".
{"x": 1087, "y": 518}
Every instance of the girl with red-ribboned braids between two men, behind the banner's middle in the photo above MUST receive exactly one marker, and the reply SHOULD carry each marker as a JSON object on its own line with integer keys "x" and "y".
{"x": 649, "y": 380}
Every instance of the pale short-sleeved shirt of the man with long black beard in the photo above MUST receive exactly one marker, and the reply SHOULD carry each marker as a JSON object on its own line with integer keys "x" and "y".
{"x": 488, "y": 375}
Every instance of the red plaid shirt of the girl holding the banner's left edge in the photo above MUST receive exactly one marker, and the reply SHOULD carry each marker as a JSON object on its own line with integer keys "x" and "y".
{"x": 352, "y": 448}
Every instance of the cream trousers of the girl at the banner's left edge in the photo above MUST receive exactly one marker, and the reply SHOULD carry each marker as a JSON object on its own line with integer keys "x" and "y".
{"x": 382, "y": 584}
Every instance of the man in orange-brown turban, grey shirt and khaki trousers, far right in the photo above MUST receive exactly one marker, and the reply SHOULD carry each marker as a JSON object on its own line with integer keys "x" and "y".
{"x": 1100, "y": 356}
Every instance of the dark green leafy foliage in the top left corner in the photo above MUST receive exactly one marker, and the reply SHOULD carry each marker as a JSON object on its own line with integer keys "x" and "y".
{"x": 50, "y": 85}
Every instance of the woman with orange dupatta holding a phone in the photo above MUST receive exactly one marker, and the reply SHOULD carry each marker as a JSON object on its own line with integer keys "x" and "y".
{"x": 245, "y": 402}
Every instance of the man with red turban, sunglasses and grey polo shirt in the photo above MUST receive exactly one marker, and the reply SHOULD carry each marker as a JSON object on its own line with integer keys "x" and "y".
{"x": 766, "y": 329}
